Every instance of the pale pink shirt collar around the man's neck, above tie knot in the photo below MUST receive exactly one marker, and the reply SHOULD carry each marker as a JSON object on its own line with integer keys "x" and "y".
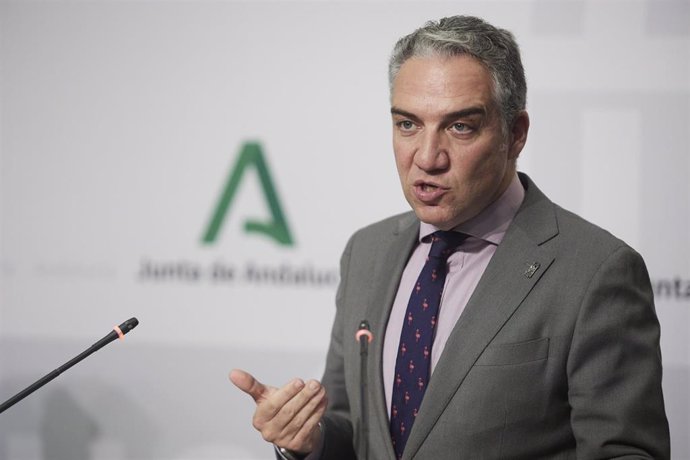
{"x": 492, "y": 223}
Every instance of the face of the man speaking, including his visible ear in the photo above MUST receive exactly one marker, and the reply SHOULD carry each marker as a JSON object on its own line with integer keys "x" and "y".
{"x": 452, "y": 155}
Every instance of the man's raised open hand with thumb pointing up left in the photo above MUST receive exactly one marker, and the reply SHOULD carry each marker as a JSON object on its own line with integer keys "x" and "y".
{"x": 289, "y": 416}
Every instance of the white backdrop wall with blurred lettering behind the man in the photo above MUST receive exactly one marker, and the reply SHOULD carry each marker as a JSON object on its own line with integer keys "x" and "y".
{"x": 120, "y": 122}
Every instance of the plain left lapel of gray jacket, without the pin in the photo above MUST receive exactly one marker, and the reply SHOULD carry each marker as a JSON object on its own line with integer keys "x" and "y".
{"x": 387, "y": 273}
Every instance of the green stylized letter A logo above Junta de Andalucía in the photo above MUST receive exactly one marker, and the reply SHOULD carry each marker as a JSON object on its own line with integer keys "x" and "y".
{"x": 277, "y": 228}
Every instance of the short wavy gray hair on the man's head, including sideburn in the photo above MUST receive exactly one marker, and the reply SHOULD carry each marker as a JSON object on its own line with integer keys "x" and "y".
{"x": 494, "y": 48}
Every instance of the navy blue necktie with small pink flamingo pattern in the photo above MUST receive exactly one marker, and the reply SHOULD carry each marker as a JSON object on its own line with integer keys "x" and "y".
{"x": 412, "y": 365}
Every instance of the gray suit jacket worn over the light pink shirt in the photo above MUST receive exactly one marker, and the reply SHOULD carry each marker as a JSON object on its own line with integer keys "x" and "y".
{"x": 558, "y": 362}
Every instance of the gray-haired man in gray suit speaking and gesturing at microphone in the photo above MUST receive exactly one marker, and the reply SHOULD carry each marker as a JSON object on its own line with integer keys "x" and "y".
{"x": 544, "y": 343}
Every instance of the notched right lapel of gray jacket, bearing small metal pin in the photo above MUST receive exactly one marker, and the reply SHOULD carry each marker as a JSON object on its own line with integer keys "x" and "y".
{"x": 517, "y": 265}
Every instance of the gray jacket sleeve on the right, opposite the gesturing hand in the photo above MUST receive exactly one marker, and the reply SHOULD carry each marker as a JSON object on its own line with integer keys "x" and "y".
{"x": 614, "y": 365}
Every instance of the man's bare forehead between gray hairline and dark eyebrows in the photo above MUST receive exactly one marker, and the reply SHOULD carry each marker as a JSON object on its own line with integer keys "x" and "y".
{"x": 435, "y": 84}
